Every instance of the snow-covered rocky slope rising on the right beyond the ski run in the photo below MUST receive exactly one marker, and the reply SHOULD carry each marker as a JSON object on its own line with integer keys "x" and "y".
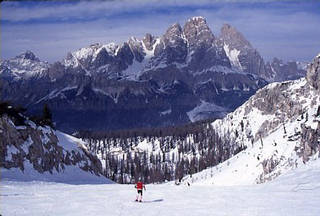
{"x": 273, "y": 138}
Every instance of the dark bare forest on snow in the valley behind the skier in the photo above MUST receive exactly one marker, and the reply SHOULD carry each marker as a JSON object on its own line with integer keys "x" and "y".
{"x": 159, "y": 154}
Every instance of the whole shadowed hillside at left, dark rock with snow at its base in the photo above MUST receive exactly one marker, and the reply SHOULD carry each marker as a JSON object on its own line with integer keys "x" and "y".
{"x": 32, "y": 152}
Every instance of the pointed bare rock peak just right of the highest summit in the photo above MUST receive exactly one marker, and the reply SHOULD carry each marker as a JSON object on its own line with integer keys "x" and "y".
{"x": 230, "y": 35}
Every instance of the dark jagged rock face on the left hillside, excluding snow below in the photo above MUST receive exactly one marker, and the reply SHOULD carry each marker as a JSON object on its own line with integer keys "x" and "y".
{"x": 40, "y": 147}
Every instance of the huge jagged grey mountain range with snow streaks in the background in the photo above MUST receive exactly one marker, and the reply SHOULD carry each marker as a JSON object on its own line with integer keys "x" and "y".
{"x": 187, "y": 70}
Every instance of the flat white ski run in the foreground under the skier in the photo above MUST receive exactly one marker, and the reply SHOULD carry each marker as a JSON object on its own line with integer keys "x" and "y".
{"x": 295, "y": 193}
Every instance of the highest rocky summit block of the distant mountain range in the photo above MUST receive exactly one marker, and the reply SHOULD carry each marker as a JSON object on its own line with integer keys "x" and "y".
{"x": 197, "y": 31}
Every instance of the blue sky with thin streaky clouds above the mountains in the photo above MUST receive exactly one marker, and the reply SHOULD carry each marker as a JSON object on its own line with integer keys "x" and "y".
{"x": 286, "y": 29}
